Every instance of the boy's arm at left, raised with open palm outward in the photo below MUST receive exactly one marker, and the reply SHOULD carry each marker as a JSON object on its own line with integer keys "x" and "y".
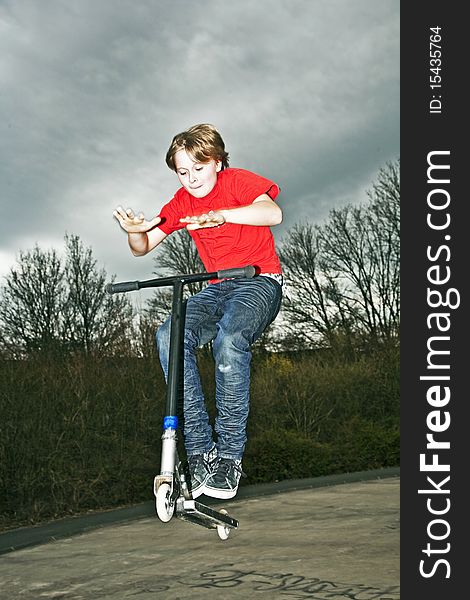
{"x": 142, "y": 235}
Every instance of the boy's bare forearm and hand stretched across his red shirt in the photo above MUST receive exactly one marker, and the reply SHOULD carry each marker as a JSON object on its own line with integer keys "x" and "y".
{"x": 263, "y": 211}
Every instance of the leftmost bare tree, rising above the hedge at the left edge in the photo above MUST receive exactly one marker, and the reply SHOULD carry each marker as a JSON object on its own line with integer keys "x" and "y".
{"x": 32, "y": 301}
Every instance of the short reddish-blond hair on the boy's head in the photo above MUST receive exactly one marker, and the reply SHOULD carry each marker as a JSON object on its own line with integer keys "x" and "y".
{"x": 203, "y": 142}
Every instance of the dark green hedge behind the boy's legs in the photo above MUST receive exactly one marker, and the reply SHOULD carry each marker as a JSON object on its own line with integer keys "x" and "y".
{"x": 80, "y": 434}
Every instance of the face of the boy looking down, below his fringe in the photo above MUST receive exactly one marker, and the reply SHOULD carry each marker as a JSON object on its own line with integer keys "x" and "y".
{"x": 198, "y": 179}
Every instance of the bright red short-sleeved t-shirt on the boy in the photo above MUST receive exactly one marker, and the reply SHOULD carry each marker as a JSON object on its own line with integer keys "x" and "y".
{"x": 230, "y": 245}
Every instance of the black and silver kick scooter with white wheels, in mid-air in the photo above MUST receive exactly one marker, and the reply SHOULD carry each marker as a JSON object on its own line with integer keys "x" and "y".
{"x": 172, "y": 493}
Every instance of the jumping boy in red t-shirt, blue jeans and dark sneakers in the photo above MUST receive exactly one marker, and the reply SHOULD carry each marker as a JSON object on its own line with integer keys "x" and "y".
{"x": 228, "y": 213}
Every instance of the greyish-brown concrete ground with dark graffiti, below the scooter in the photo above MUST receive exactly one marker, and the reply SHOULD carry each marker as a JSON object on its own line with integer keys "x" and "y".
{"x": 335, "y": 542}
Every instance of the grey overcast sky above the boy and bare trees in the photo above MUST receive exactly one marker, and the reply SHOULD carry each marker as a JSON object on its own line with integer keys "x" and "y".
{"x": 305, "y": 92}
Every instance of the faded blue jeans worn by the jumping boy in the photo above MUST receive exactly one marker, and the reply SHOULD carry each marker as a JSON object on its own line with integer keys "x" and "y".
{"x": 233, "y": 313}
